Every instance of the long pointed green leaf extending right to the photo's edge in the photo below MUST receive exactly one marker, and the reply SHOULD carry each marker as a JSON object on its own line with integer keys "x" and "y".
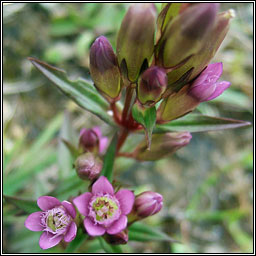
{"x": 199, "y": 123}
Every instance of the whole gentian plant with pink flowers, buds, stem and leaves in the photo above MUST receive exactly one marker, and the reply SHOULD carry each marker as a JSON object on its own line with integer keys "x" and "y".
{"x": 159, "y": 73}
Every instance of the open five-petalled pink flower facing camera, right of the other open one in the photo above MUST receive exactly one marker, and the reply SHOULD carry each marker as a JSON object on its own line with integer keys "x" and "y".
{"x": 105, "y": 210}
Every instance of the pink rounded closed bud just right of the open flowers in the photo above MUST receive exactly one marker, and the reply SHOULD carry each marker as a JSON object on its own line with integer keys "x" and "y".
{"x": 147, "y": 204}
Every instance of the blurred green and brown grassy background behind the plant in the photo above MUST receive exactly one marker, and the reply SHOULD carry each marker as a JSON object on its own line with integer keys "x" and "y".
{"x": 207, "y": 186}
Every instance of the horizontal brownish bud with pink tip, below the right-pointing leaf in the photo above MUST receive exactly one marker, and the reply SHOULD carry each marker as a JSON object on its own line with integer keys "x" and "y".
{"x": 162, "y": 145}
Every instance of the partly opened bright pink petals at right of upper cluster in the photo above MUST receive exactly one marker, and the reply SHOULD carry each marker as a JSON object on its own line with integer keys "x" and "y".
{"x": 206, "y": 87}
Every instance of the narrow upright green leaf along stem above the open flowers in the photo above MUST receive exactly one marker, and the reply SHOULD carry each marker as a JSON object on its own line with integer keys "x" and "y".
{"x": 109, "y": 159}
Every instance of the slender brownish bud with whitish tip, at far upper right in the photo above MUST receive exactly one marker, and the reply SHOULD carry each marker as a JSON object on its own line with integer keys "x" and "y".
{"x": 207, "y": 51}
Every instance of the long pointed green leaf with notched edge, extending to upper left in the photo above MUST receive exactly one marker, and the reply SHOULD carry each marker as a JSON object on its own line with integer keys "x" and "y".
{"x": 83, "y": 93}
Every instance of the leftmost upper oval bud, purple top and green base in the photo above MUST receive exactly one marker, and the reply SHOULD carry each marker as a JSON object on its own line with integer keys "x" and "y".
{"x": 104, "y": 68}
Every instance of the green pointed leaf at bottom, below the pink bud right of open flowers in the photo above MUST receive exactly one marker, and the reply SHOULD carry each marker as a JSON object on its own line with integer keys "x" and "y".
{"x": 139, "y": 231}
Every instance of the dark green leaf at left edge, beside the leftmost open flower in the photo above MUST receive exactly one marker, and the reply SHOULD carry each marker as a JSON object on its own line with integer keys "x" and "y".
{"x": 28, "y": 206}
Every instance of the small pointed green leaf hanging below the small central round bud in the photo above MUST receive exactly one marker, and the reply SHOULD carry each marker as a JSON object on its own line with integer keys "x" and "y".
{"x": 147, "y": 118}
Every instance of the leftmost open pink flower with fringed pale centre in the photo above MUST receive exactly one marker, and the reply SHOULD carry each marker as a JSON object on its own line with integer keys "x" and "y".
{"x": 56, "y": 220}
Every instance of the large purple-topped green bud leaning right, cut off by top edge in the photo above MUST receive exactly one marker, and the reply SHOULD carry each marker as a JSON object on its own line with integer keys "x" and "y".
{"x": 183, "y": 36}
